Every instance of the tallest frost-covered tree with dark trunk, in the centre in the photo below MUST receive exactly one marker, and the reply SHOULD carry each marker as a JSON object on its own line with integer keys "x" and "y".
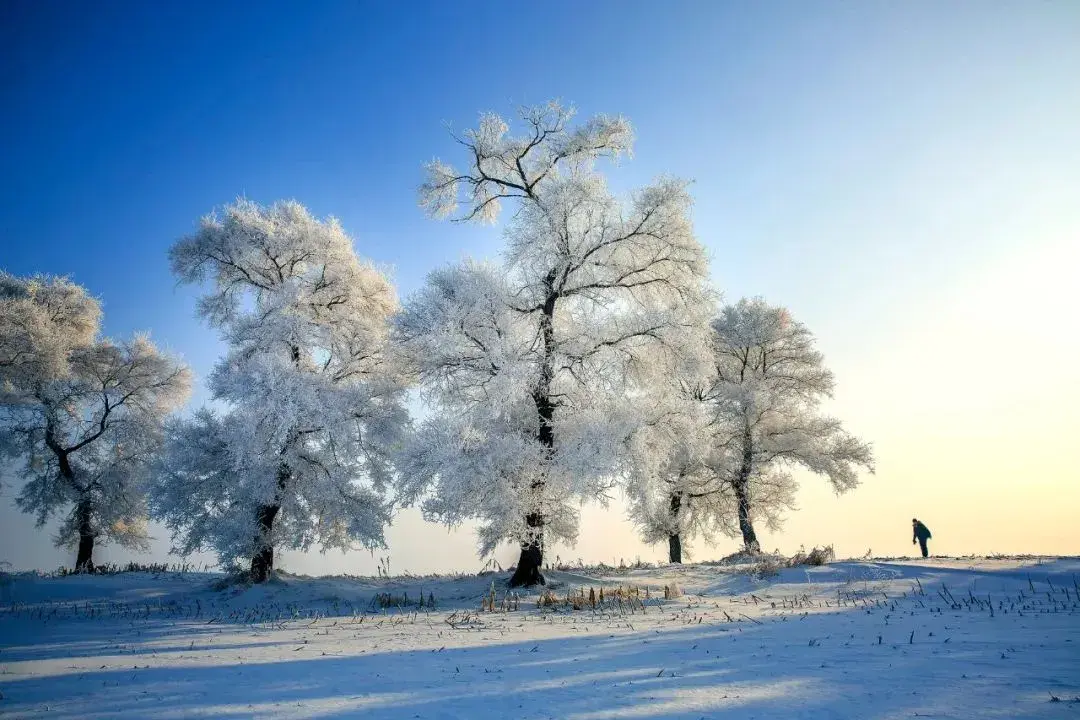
{"x": 529, "y": 364}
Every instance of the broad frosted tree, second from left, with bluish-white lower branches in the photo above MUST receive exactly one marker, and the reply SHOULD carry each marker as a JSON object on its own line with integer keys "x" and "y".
{"x": 313, "y": 398}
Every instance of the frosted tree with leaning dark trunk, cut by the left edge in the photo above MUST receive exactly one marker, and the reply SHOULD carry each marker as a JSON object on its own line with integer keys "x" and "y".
{"x": 84, "y": 414}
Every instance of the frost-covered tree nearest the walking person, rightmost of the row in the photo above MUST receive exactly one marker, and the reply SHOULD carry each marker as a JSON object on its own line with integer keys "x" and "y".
{"x": 769, "y": 385}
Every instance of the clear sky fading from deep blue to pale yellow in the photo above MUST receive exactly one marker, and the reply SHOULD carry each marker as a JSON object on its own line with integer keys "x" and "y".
{"x": 904, "y": 176}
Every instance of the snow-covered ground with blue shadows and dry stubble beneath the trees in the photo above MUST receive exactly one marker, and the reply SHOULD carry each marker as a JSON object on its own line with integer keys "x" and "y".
{"x": 966, "y": 639}
